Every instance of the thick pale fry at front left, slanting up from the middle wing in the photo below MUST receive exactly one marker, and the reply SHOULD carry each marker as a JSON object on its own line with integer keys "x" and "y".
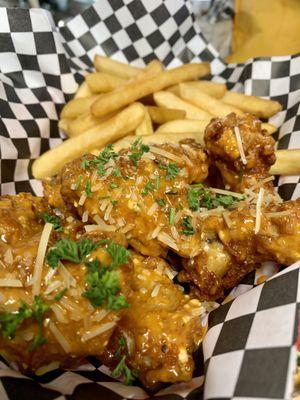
{"x": 51, "y": 162}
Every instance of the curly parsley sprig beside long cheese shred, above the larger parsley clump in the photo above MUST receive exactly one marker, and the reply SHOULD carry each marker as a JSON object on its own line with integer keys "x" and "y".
{"x": 68, "y": 250}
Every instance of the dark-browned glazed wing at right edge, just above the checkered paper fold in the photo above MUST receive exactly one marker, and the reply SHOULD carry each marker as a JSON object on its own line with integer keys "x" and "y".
{"x": 230, "y": 252}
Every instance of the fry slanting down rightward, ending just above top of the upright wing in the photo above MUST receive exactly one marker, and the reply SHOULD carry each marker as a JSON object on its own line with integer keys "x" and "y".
{"x": 206, "y": 102}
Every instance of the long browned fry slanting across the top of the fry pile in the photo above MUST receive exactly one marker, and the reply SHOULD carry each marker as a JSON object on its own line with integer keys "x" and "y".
{"x": 114, "y": 100}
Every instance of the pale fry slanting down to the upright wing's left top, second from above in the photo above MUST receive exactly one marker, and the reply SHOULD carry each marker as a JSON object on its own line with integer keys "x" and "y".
{"x": 170, "y": 100}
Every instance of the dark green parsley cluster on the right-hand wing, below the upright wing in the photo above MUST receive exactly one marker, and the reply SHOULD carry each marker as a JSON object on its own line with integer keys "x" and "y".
{"x": 201, "y": 197}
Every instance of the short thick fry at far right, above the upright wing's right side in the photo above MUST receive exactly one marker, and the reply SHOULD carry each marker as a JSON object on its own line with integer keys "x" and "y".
{"x": 261, "y": 108}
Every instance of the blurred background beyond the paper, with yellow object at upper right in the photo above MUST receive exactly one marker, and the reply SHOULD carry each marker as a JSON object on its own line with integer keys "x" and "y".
{"x": 238, "y": 29}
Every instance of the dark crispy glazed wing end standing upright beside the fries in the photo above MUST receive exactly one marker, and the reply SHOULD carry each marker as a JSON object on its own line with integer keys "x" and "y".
{"x": 222, "y": 146}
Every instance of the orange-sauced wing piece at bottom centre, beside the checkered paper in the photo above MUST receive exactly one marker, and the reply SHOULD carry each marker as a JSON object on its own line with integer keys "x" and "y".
{"x": 161, "y": 327}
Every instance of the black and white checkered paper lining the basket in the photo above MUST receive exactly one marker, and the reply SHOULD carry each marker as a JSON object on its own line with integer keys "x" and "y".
{"x": 249, "y": 350}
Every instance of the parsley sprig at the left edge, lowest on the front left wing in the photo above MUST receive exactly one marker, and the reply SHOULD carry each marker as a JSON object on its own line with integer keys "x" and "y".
{"x": 10, "y": 322}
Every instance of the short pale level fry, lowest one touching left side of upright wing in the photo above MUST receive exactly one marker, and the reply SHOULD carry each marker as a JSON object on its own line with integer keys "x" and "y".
{"x": 183, "y": 126}
